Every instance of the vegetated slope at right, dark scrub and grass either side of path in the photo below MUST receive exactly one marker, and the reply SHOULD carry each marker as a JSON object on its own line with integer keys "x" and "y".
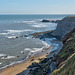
{"x": 66, "y": 57}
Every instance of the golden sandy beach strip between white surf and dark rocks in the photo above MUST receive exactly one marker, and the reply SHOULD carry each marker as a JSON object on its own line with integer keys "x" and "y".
{"x": 14, "y": 69}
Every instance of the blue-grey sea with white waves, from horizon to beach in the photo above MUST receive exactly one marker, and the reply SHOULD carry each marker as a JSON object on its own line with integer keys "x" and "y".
{"x": 16, "y": 50}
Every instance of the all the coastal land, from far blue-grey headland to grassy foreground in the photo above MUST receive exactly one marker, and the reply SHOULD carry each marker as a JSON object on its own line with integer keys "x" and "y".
{"x": 64, "y": 62}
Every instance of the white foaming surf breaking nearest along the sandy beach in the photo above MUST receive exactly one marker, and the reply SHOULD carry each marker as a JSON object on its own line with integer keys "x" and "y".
{"x": 33, "y": 51}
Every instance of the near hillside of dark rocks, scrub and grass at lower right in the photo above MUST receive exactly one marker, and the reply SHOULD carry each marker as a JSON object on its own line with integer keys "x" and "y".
{"x": 61, "y": 64}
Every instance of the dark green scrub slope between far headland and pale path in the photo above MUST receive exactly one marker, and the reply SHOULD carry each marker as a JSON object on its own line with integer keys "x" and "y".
{"x": 69, "y": 45}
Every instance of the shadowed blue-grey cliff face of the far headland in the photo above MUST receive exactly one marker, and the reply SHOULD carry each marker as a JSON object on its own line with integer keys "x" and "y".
{"x": 64, "y": 26}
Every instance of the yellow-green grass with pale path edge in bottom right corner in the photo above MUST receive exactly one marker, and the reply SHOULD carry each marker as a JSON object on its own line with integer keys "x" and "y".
{"x": 67, "y": 69}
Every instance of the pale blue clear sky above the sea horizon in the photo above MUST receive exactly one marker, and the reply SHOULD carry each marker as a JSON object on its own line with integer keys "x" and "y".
{"x": 37, "y": 6}
